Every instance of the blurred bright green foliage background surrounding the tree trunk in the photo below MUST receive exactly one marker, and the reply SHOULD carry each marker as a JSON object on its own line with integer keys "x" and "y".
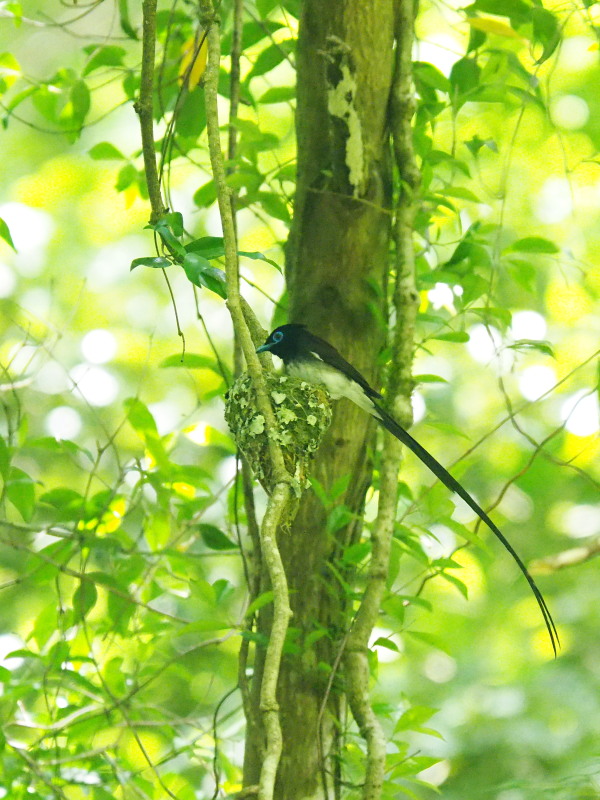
{"x": 123, "y": 595}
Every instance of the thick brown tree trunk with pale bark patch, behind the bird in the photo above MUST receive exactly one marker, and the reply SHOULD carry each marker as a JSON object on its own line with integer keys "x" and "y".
{"x": 337, "y": 262}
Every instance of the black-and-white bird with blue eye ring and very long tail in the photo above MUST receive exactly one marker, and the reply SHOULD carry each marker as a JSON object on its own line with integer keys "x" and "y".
{"x": 315, "y": 361}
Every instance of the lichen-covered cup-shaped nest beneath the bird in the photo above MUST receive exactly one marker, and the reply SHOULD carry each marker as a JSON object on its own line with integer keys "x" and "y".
{"x": 303, "y": 414}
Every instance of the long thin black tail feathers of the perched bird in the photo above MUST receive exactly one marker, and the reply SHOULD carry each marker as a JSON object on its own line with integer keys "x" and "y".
{"x": 451, "y": 483}
